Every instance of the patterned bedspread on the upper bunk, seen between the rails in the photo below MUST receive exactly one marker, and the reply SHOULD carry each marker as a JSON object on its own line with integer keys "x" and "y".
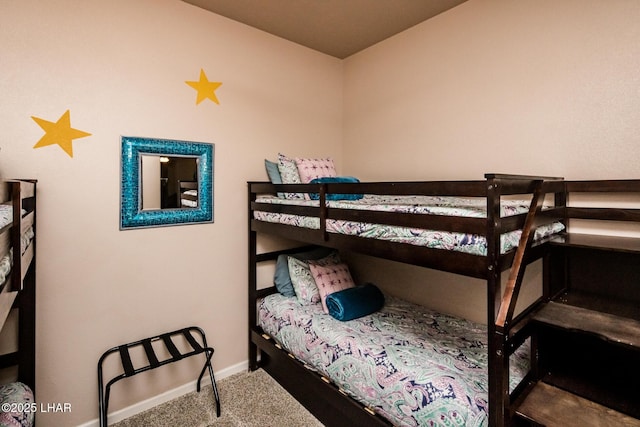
{"x": 428, "y": 205}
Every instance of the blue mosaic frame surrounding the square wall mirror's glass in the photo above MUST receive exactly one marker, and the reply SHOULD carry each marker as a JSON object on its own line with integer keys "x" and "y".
{"x": 131, "y": 213}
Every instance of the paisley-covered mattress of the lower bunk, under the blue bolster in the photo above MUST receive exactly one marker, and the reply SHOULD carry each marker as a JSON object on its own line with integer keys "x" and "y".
{"x": 411, "y": 365}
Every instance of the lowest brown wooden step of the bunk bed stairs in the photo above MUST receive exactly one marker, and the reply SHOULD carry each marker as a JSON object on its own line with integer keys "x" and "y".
{"x": 553, "y": 407}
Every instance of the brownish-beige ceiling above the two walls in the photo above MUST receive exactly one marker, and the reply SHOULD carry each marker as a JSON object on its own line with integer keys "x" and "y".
{"x": 338, "y": 28}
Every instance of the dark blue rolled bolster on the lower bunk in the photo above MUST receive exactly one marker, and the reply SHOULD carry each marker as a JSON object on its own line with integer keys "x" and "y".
{"x": 352, "y": 303}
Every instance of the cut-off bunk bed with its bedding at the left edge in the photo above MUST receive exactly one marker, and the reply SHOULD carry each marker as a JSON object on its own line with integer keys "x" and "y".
{"x": 17, "y": 292}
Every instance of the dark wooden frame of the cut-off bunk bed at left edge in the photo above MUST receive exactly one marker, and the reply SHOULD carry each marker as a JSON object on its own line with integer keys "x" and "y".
{"x": 19, "y": 289}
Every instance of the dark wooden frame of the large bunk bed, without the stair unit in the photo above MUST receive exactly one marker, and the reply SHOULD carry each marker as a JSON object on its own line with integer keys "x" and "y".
{"x": 505, "y": 332}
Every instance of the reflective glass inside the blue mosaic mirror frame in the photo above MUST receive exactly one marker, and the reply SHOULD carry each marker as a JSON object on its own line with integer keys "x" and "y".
{"x": 168, "y": 182}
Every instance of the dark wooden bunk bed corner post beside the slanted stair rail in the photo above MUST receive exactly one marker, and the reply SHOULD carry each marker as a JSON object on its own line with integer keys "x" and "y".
{"x": 498, "y": 389}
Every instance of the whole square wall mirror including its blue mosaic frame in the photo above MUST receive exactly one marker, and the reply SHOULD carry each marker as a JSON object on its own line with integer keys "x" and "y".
{"x": 165, "y": 182}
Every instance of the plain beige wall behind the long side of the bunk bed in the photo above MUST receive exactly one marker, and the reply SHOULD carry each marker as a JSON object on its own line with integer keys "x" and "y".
{"x": 534, "y": 87}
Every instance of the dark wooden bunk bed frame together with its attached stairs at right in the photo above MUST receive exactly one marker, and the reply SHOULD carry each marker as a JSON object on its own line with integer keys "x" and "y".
{"x": 590, "y": 296}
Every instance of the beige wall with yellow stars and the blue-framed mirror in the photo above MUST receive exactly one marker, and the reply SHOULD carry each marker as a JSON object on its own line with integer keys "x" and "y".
{"x": 120, "y": 67}
